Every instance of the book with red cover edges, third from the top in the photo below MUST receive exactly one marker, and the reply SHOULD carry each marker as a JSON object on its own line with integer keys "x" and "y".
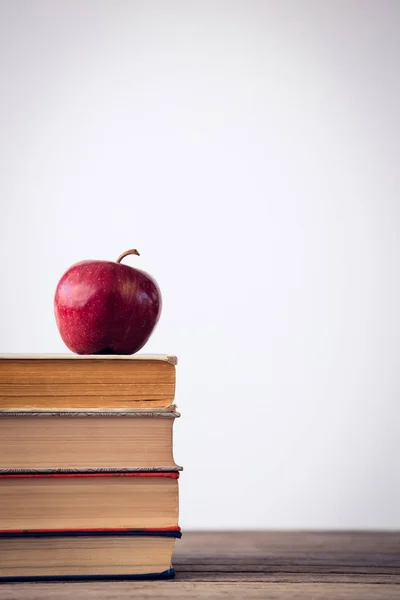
{"x": 89, "y": 501}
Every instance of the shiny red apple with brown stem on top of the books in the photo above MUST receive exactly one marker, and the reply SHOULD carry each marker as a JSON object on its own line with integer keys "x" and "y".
{"x": 104, "y": 307}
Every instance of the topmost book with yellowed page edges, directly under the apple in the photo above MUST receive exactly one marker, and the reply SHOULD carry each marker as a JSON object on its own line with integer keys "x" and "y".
{"x": 71, "y": 381}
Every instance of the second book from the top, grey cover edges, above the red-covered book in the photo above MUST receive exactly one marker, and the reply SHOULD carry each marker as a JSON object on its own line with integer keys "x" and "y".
{"x": 86, "y": 442}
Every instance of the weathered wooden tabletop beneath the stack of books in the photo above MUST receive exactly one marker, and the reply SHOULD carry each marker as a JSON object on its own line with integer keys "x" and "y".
{"x": 250, "y": 565}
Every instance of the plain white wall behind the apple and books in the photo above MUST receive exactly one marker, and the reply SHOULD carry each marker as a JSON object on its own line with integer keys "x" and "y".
{"x": 250, "y": 151}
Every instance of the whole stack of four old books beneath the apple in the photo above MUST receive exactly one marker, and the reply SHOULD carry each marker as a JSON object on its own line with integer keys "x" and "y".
{"x": 88, "y": 482}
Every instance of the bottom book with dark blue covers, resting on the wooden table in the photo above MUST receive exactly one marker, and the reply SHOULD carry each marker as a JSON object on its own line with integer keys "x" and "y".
{"x": 86, "y": 554}
